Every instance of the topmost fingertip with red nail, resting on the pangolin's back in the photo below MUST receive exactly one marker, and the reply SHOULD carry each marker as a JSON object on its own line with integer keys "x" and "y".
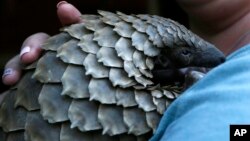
{"x": 67, "y": 13}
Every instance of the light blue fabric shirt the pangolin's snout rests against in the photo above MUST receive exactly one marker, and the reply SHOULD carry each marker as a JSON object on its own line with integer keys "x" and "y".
{"x": 205, "y": 111}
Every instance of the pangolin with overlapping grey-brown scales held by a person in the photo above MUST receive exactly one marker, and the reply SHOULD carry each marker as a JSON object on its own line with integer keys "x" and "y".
{"x": 96, "y": 80}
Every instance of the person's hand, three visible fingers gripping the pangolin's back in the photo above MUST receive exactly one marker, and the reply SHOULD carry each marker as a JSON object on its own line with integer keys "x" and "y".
{"x": 31, "y": 48}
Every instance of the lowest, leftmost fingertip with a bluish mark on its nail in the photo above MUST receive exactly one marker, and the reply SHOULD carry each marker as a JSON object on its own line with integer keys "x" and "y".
{"x": 12, "y": 71}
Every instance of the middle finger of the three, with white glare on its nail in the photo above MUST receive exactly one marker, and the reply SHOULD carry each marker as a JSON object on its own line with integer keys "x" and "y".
{"x": 31, "y": 48}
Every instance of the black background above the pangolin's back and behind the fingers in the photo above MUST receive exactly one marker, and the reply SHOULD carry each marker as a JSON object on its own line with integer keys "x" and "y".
{"x": 21, "y": 18}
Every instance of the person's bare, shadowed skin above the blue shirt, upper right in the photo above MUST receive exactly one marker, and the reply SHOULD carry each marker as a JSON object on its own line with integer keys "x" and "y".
{"x": 223, "y": 23}
